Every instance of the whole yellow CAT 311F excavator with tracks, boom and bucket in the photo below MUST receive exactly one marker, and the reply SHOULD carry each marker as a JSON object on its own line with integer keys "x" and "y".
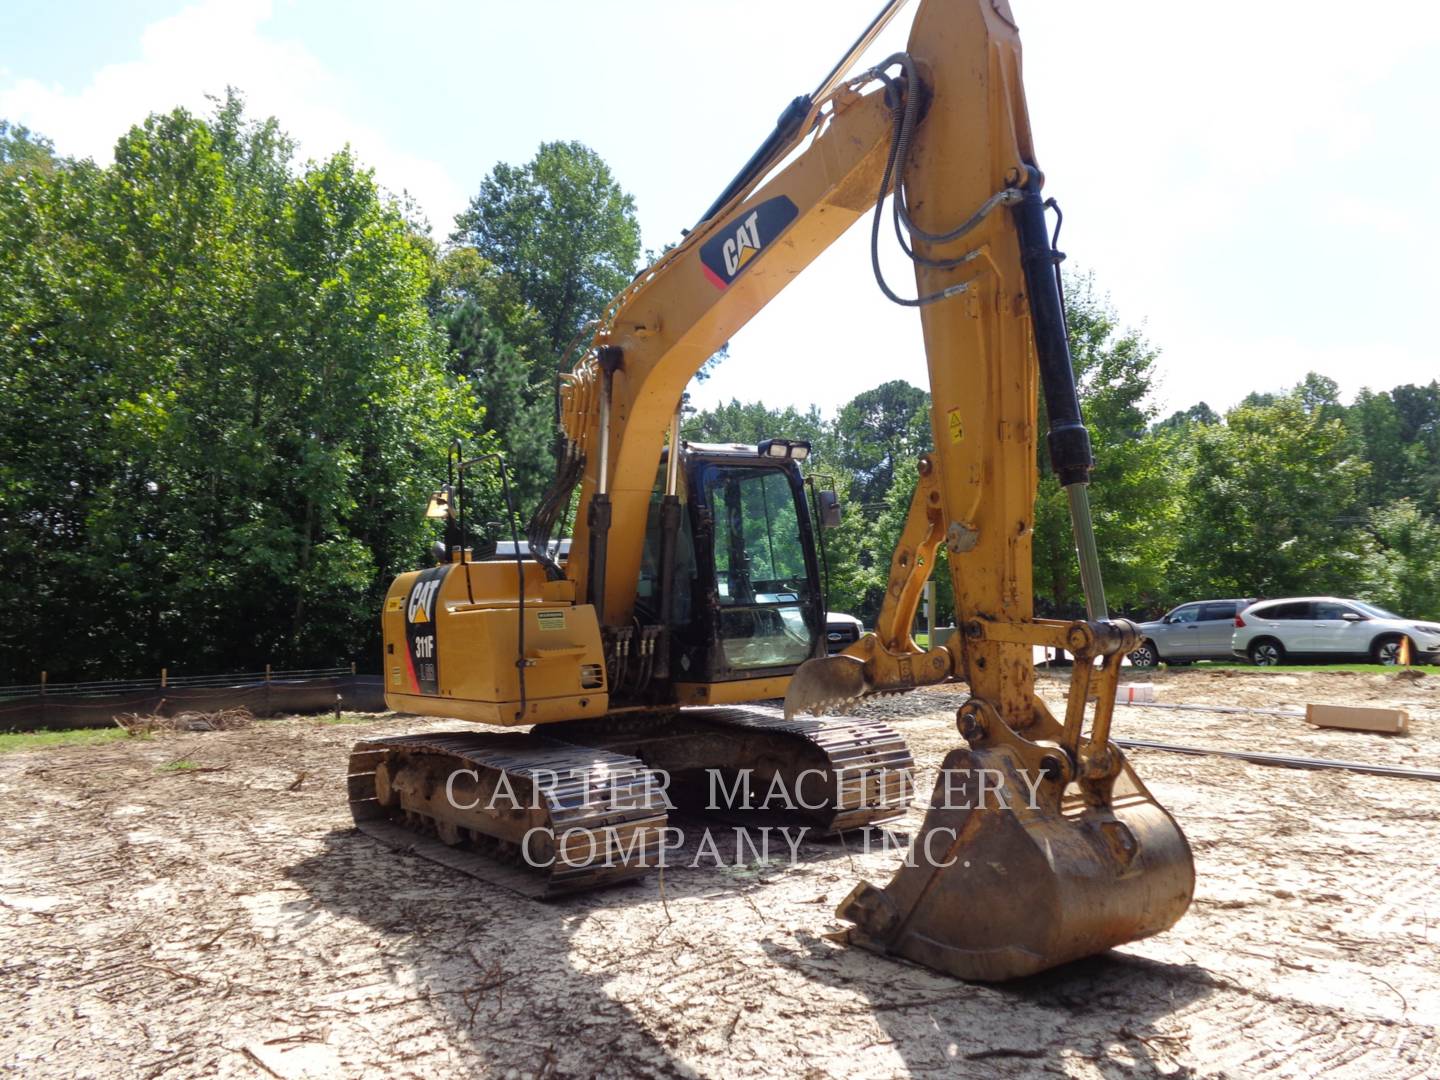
{"x": 637, "y": 654}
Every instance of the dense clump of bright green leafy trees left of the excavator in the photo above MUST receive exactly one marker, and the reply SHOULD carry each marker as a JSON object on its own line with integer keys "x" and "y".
{"x": 222, "y": 402}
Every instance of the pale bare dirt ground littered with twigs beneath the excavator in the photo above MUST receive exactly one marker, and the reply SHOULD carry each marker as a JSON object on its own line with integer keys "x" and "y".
{"x": 228, "y": 921}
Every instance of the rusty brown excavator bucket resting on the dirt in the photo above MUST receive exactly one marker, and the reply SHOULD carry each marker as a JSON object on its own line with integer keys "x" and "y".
{"x": 1020, "y": 869}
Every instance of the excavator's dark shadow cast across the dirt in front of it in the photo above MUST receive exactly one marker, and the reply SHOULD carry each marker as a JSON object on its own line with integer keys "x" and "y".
{"x": 502, "y": 976}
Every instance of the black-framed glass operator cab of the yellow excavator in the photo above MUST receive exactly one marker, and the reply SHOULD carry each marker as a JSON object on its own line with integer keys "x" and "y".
{"x": 748, "y": 598}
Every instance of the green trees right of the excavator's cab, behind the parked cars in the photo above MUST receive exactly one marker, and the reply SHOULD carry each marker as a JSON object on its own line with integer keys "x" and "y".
{"x": 1290, "y": 493}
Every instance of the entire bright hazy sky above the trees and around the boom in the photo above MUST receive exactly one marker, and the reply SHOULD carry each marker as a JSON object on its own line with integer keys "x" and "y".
{"x": 1256, "y": 186}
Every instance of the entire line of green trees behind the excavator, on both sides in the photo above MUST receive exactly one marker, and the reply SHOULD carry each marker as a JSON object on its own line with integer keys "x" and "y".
{"x": 230, "y": 378}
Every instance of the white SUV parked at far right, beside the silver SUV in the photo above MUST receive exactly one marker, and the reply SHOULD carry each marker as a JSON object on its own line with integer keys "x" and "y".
{"x": 1330, "y": 629}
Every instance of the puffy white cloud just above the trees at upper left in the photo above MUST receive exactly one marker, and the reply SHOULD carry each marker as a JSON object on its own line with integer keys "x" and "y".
{"x": 199, "y": 53}
